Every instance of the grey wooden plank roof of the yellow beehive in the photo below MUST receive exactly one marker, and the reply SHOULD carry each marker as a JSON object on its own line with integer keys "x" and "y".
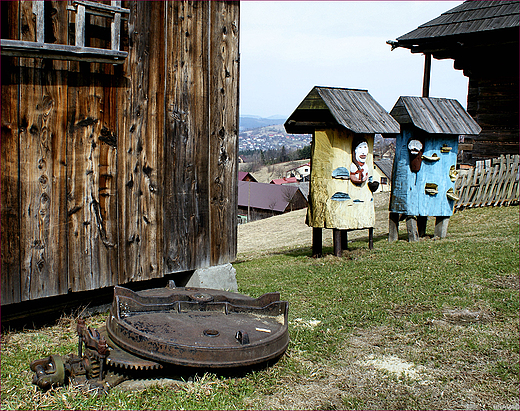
{"x": 328, "y": 107}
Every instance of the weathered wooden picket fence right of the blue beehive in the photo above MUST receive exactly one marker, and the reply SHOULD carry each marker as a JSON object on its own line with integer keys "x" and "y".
{"x": 490, "y": 183}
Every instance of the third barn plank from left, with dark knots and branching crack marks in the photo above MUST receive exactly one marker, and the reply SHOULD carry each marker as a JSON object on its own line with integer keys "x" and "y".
{"x": 92, "y": 161}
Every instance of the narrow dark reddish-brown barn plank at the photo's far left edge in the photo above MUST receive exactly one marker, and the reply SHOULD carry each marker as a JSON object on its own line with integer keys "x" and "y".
{"x": 10, "y": 216}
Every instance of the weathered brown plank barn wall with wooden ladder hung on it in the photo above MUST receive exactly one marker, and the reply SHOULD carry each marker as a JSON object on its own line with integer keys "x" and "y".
{"x": 119, "y": 142}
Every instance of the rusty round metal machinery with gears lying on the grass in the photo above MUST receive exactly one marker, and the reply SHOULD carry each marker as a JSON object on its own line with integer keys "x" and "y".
{"x": 171, "y": 328}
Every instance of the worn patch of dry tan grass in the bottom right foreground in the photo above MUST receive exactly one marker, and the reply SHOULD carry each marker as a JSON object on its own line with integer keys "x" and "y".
{"x": 379, "y": 368}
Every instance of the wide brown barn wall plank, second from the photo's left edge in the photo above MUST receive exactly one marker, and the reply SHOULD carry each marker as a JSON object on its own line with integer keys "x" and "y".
{"x": 42, "y": 176}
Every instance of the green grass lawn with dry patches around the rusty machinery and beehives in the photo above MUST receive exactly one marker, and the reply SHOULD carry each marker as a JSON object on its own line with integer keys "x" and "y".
{"x": 426, "y": 325}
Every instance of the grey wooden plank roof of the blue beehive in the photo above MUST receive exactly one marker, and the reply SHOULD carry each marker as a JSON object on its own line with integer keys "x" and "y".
{"x": 435, "y": 115}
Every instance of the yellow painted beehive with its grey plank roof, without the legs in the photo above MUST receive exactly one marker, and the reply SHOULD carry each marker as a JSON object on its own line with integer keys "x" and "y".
{"x": 343, "y": 123}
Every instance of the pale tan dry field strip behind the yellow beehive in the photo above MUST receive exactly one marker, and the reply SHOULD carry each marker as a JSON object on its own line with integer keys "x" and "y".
{"x": 289, "y": 231}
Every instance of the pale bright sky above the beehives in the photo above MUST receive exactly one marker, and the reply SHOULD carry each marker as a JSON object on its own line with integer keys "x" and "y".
{"x": 288, "y": 47}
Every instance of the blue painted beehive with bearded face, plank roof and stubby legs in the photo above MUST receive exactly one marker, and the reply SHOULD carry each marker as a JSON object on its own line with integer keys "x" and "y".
{"x": 424, "y": 171}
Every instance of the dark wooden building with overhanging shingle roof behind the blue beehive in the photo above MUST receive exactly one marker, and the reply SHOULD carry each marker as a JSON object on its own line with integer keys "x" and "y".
{"x": 482, "y": 39}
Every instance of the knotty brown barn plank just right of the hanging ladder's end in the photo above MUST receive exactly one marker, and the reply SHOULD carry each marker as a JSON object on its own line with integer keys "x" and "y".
{"x": 141, "y": 157}
